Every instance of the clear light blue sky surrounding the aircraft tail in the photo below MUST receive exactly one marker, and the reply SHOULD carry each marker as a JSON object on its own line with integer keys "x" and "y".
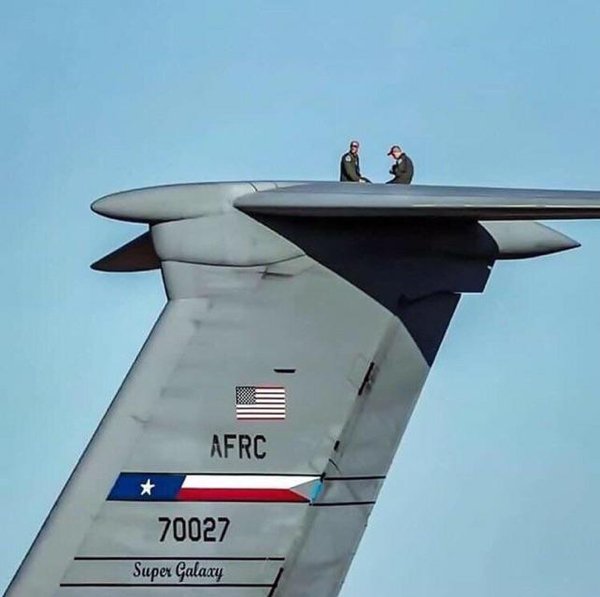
{"x": 496, "y": 486}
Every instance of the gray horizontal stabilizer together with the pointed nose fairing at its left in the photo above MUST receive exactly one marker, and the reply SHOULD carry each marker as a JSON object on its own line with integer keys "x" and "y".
{"x": 347, "y": 199}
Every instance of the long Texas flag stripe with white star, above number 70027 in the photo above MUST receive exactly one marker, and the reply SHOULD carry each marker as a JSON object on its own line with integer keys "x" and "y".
{"x": 175, "y": 487}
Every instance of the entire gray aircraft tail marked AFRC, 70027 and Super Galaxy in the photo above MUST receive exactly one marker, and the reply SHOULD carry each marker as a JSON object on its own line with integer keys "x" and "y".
{"x": 342, "y": 317}
